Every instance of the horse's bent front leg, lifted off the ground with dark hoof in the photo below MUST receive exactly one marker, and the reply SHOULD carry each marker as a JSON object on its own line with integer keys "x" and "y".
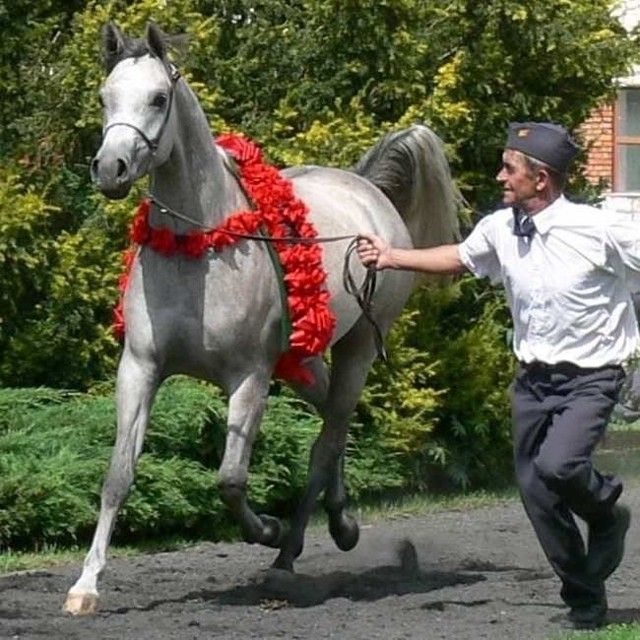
{"x": 246, "y": 408}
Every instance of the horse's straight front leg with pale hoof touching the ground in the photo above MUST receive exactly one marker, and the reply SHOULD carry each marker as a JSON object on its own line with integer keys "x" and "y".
{"x": 135, "y": 389}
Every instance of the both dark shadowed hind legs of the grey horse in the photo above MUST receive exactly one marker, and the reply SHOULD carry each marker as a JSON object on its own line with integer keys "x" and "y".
{"x": 352, "y": 358}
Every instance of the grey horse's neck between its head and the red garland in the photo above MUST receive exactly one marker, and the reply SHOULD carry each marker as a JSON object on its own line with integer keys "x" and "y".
{"x": 194, "y": 182}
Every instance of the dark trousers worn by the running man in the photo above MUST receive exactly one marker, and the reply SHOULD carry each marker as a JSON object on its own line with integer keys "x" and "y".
{"x": 560, "y": 413}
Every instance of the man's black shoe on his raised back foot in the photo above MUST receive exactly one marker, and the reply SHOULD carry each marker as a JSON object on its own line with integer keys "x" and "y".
{"x": 606, "y": 543}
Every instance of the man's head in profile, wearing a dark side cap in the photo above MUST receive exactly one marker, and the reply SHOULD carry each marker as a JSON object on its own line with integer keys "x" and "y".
{"x": 534, "y": 164}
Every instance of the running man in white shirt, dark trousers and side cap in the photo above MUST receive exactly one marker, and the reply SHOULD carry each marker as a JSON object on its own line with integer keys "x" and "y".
{"x": 568, "y": 270}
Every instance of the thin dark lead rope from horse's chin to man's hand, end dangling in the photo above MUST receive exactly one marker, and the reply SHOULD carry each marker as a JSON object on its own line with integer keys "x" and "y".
{"x": 362, "y": 293}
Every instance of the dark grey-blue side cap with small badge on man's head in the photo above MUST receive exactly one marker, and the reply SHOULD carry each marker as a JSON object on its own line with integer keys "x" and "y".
{"x": 544, "y": 141}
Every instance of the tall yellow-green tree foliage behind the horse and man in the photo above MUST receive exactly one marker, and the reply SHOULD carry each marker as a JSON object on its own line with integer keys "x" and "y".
{"x": 315, "y": 81}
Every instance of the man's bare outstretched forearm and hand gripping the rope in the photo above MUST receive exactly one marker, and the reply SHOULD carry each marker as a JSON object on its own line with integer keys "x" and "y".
{"x": 443, "y": 260}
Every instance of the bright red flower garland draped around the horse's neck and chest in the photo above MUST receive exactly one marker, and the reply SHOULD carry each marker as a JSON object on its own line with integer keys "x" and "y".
{"x": 281, "y": 214}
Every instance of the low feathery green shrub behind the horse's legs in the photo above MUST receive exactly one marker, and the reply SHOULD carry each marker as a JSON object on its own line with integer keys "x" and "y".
{"x": 55, "y": 450}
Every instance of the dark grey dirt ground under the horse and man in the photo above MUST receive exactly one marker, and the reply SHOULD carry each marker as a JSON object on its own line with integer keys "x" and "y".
{"x": 463, "y": 575}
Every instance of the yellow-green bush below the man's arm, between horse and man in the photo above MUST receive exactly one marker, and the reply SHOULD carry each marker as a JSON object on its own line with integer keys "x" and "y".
{"x": 440, "y": 410}
